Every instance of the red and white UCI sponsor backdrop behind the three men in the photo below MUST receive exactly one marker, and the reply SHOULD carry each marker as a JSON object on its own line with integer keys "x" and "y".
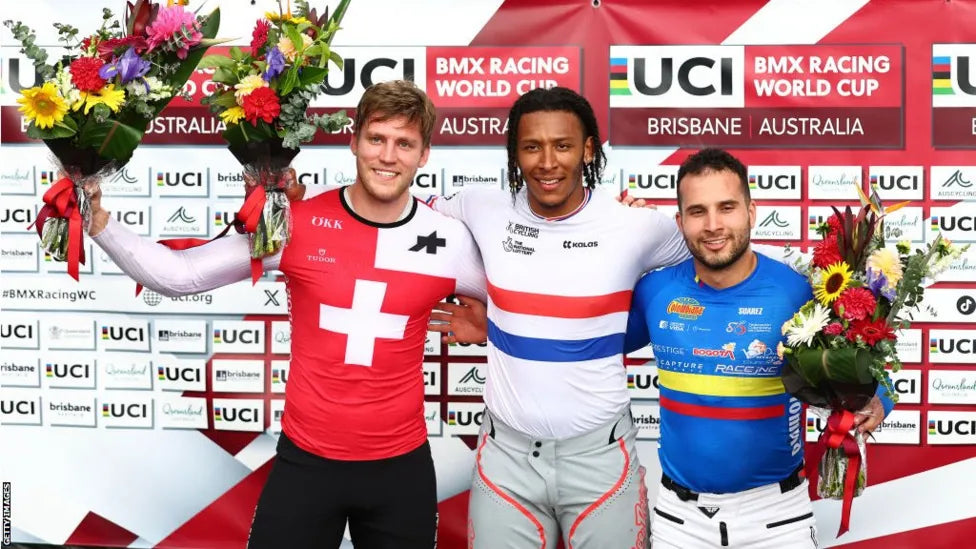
{"x": 151, "y": 421}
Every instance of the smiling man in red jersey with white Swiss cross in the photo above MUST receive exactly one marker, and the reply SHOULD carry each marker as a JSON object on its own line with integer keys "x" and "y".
{"x": 363, "y": 268}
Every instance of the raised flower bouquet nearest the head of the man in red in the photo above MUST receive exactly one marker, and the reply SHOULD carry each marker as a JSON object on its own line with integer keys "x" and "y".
{"x": 263, "y": 101}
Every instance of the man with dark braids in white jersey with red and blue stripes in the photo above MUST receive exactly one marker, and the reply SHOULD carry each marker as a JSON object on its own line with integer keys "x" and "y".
{"x": 557, "y": 451}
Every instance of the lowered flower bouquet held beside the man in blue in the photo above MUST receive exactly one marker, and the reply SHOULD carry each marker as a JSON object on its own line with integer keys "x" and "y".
{"x": 839, "y": 343}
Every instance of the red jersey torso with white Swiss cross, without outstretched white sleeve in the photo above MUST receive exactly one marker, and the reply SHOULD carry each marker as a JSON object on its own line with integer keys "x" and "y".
{"x": 361, "y": 295}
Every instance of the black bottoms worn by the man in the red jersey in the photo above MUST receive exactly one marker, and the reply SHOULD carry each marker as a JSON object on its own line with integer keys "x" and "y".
{"x": 389, "y": 503}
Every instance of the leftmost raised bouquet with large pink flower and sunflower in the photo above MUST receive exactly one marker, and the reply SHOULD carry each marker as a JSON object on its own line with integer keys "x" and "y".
{"x": 95, "y": 103}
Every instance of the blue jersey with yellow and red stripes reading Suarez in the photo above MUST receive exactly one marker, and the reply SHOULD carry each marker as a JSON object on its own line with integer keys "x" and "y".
{"x": 727, "y": 423}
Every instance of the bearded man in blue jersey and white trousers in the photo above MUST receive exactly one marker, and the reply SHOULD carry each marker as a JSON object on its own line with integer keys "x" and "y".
{"x": 731, "y": 445}
